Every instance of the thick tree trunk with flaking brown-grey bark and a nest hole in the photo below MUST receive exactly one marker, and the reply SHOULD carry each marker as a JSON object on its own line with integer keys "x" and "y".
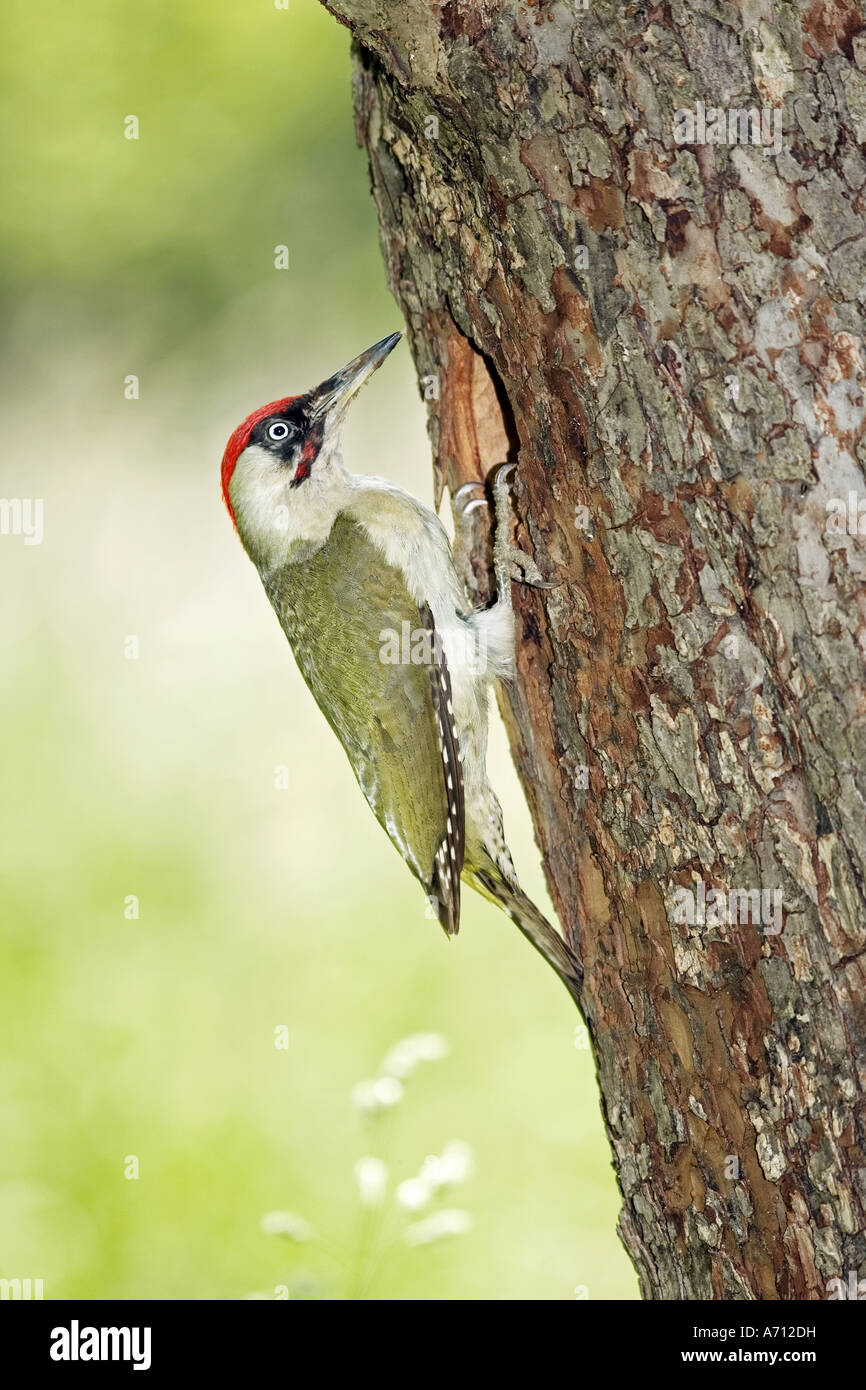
{"x": 664, "y": 325}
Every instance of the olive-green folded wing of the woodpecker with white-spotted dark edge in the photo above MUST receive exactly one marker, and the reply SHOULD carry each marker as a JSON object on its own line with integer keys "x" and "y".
{"x": 344, "y": 611}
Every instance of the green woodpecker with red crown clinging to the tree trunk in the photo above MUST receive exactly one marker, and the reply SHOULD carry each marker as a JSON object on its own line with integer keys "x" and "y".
{"x": 363, "y": 582}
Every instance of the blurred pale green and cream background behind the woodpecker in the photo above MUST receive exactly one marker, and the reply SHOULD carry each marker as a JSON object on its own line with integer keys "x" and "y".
{"x": 259, "y": 908}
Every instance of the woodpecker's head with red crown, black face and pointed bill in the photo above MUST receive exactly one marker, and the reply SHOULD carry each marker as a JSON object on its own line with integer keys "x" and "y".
{"x": 283, "y": 473}
